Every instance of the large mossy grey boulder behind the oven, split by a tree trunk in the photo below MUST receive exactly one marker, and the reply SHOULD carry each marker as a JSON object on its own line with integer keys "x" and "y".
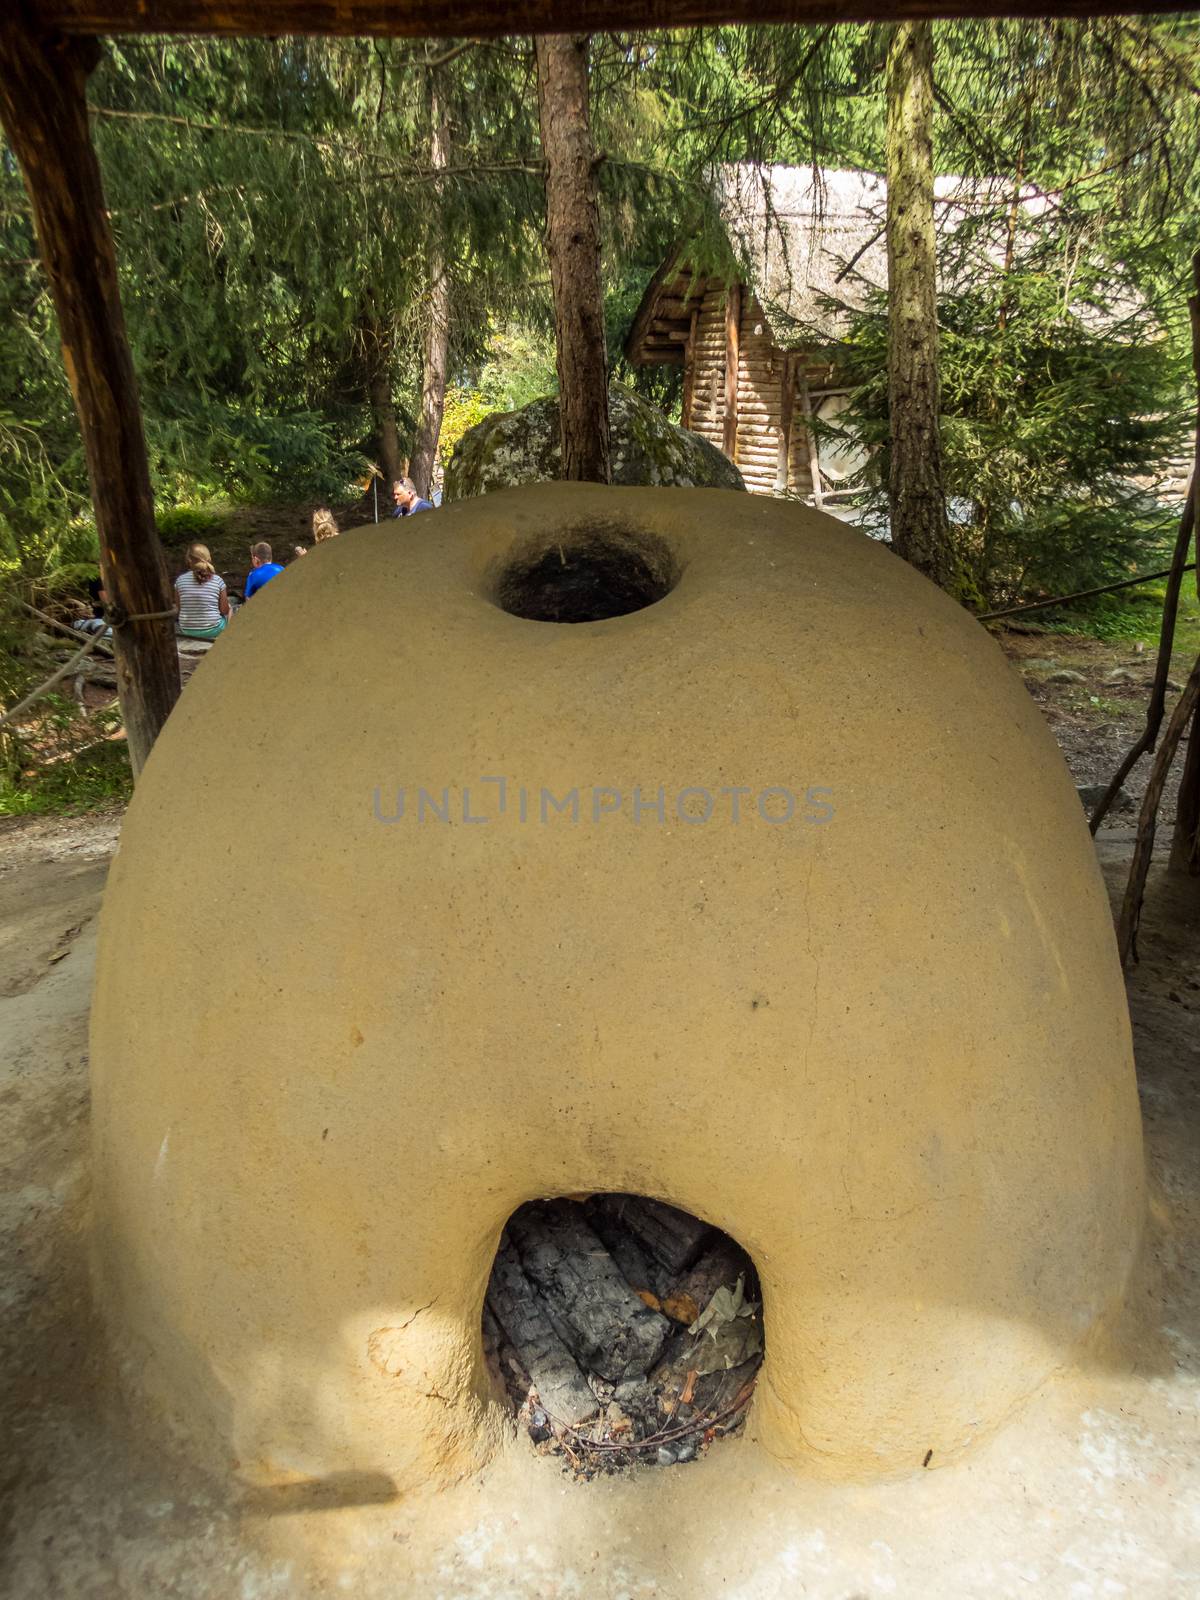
{"x": 524, "y": 447}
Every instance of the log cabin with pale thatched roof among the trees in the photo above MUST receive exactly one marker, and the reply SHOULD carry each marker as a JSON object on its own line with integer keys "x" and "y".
{"x": 761, "y": 342}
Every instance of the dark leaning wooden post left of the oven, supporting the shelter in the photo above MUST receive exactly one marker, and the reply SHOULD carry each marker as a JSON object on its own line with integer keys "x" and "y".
{"x": 46, "y": 118}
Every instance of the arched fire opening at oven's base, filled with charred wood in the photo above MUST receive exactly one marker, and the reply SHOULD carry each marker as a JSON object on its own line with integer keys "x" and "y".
{"x": 625, "y": 1332}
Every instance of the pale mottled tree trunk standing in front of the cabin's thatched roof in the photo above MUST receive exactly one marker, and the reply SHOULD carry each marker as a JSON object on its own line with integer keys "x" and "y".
{"x": 918, "y": 498}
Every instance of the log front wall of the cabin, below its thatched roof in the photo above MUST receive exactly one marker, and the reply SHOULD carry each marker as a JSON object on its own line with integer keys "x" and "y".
{"x": 770, "y": 428}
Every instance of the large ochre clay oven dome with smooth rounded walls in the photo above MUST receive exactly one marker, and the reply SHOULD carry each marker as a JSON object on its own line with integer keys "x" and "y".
{"x": 870, "y": 1023}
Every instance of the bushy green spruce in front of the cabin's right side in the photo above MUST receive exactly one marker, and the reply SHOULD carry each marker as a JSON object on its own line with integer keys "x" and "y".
{"x": 1057, "y": 391}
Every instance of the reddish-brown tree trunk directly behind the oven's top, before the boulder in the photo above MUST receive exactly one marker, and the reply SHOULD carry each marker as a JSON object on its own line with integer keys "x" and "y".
{"x": 574, "y": 247}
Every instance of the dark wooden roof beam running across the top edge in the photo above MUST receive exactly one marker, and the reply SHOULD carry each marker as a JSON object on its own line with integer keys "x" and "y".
{"x": 495, "y": 18}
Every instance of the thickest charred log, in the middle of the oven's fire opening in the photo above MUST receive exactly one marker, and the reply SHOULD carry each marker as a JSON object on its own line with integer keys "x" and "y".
{"x": 596, "y": 1313}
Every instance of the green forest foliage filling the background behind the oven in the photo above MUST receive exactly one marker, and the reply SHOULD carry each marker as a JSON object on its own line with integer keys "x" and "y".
{"x": 278, "y": 210}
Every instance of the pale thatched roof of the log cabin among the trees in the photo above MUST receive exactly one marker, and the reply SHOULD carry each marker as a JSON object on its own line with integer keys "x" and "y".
{"x": 812, "y": 242}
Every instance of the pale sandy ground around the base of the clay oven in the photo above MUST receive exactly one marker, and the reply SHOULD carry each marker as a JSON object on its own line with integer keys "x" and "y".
{"x": 1092, "y": 1490}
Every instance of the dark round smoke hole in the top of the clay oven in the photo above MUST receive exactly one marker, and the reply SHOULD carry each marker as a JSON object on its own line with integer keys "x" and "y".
{"x": 588, "y": 574}
